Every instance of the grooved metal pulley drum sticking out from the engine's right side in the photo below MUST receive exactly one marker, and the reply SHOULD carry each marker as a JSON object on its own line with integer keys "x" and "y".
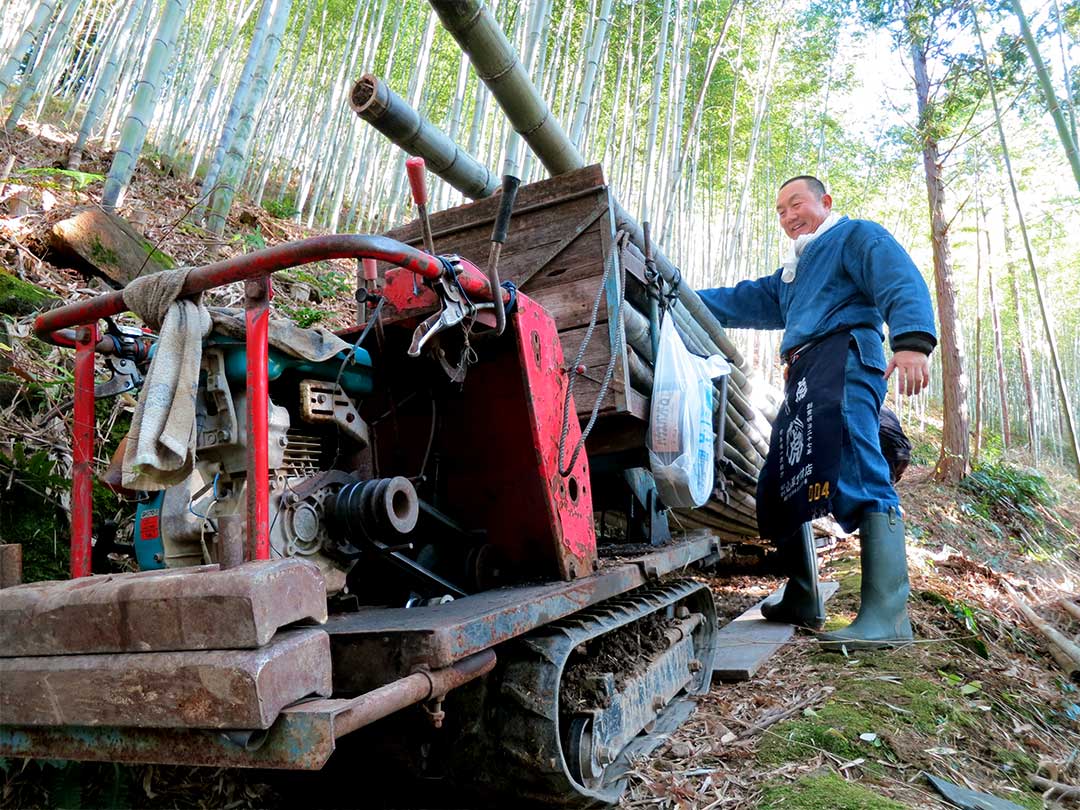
{"x": 374, "y": 509}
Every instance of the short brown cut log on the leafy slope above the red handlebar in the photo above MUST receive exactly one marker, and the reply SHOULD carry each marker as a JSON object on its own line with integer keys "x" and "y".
{"x": 107, "y": 246}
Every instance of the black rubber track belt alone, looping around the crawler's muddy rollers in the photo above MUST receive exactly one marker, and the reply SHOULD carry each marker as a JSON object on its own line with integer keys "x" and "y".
{"x": 526, "y": 724}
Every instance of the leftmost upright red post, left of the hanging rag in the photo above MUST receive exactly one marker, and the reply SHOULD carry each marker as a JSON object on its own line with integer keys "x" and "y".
{"x": 83, "y": 452}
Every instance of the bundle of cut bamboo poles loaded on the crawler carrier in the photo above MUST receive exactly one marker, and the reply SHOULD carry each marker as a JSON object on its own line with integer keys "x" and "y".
{"x": 732, "y": 511}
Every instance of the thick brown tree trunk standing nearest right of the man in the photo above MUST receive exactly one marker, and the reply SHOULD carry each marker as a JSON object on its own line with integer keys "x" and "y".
{"x": 953, "y": 463}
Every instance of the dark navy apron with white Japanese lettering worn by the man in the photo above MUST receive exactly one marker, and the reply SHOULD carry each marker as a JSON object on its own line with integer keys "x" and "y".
{"x": 800, "y": 478}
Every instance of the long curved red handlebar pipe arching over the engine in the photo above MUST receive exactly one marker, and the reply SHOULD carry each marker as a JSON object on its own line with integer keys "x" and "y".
{"x": 264, "y": 263}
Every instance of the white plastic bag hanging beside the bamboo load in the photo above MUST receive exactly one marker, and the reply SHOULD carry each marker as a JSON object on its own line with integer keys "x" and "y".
{"x": 681, "y": 438}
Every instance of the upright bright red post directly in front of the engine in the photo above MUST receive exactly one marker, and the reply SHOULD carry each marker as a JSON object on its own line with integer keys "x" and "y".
{"x": 258, "y": 320}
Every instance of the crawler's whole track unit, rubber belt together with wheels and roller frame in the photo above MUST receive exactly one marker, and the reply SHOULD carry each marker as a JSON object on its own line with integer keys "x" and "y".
{"x": 538, "y": 751}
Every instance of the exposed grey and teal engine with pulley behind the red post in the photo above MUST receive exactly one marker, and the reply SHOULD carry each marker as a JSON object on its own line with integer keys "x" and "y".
{"x": 321, "y": 499}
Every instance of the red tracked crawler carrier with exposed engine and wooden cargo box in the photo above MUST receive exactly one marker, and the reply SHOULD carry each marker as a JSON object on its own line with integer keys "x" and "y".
{"x": 399, "y": 533}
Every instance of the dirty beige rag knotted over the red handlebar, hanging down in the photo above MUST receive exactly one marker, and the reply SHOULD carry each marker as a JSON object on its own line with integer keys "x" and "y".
{"x": 160, "y": 448}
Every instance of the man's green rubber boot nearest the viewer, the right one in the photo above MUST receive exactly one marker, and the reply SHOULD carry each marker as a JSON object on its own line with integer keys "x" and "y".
{"x": 883, "y": 619}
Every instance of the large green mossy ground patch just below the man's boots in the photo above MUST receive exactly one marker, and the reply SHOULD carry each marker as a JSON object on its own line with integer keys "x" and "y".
{"x": 883, "y": 697}
